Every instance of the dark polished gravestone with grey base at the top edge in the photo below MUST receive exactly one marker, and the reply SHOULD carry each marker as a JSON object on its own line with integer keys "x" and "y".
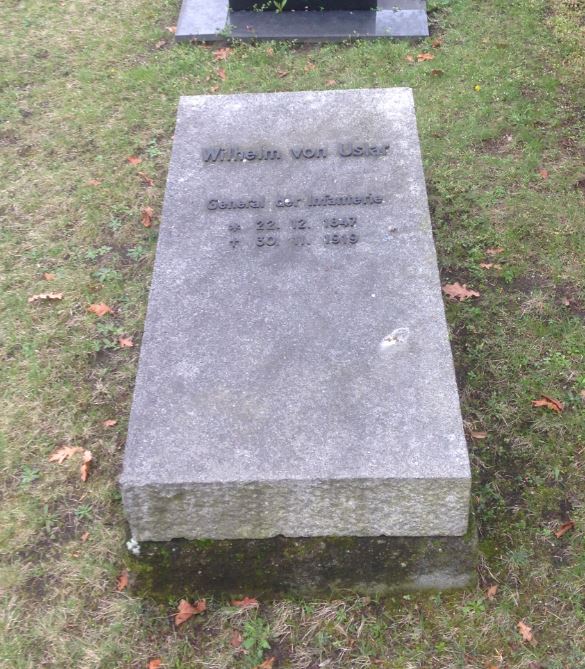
{"x": 305, "y": 20}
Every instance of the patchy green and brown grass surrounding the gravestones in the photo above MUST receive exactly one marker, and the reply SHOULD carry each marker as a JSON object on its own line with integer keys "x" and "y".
{"x": 83, "y": 86}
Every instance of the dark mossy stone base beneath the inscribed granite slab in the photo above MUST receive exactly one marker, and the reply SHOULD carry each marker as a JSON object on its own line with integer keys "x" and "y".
{"x": 306, "y": 567}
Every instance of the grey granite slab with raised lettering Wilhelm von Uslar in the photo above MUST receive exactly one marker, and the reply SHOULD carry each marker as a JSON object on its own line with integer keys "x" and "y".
{"x": 295, "y": 375}
